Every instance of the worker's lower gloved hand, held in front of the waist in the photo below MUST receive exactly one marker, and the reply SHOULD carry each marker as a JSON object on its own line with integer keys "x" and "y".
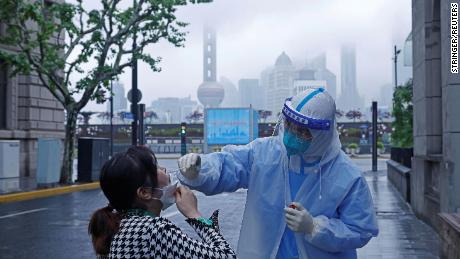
{"x": 299, "y": 219}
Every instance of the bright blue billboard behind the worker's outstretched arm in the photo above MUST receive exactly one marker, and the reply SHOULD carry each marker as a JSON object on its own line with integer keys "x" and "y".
{"x": 230, "y": 126}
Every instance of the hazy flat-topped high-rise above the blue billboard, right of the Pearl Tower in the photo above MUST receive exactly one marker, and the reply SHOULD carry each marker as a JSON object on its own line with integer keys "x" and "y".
{"x": 250, "y": 93}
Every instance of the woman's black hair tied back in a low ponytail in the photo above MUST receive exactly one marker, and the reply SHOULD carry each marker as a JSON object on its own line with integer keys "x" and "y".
{"x": 120, "y": 178}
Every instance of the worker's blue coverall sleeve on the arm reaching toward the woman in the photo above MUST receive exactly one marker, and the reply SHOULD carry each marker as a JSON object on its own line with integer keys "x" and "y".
{"x": 225, "y": 171}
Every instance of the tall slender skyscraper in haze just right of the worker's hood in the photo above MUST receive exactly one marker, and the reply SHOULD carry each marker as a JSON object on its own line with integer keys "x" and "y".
{"x": 349, "y": 96}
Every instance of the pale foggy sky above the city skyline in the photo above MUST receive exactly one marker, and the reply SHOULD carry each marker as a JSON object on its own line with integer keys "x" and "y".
{"x": 252, "y": 33}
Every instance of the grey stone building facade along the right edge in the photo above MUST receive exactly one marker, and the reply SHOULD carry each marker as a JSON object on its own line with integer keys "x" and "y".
{"x": 435, "y": 178}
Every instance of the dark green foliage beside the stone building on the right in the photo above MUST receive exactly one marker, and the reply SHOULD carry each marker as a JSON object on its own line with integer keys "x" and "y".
{"x": 403, "y": 113}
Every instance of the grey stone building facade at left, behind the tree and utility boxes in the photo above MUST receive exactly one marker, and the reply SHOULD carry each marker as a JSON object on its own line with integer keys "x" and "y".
{"x": 28, "y": 111}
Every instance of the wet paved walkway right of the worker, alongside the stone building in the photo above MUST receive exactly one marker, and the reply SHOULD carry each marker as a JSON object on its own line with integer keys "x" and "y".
{"x": 401, "y": 235}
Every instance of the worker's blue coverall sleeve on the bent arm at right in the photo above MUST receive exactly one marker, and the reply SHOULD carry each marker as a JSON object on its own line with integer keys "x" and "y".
{"x": 355, "y": 226}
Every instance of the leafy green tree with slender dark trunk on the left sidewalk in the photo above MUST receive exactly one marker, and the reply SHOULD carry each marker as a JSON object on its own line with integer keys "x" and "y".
{"x": 60, "y": 41}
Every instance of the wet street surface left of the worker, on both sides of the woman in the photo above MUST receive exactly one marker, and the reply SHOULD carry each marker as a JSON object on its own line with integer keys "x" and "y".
{"x": 56, "y": 227}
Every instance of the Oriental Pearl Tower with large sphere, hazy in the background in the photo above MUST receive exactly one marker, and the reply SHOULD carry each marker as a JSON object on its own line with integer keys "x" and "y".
{"x": 210, "y": 92}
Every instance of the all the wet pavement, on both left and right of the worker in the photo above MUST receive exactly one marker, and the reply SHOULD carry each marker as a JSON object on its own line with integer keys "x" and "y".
{"x": 56, "y": 227}
